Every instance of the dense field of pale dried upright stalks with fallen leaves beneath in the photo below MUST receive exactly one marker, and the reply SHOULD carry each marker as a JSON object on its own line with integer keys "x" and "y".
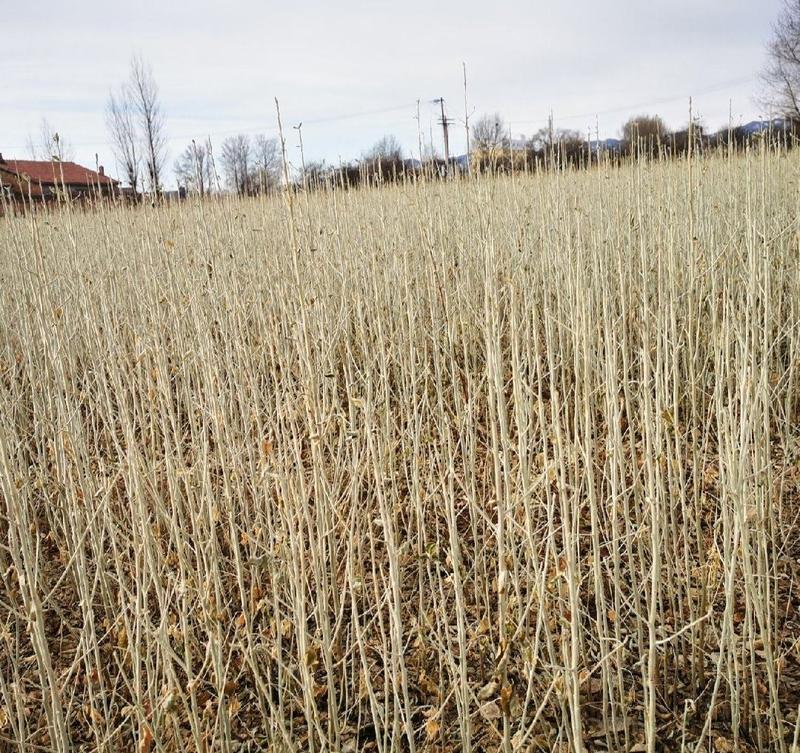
{"x": 509, "y": 464}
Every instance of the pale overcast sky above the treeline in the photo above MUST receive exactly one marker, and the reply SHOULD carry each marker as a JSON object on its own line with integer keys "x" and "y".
{"x": 353, "y": 71}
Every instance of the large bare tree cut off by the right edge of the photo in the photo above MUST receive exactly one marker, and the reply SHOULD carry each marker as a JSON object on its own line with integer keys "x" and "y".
{"x": 782, "y": 74}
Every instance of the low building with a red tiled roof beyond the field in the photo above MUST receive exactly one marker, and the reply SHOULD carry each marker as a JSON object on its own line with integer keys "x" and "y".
{"x": 49, "y": 180}
